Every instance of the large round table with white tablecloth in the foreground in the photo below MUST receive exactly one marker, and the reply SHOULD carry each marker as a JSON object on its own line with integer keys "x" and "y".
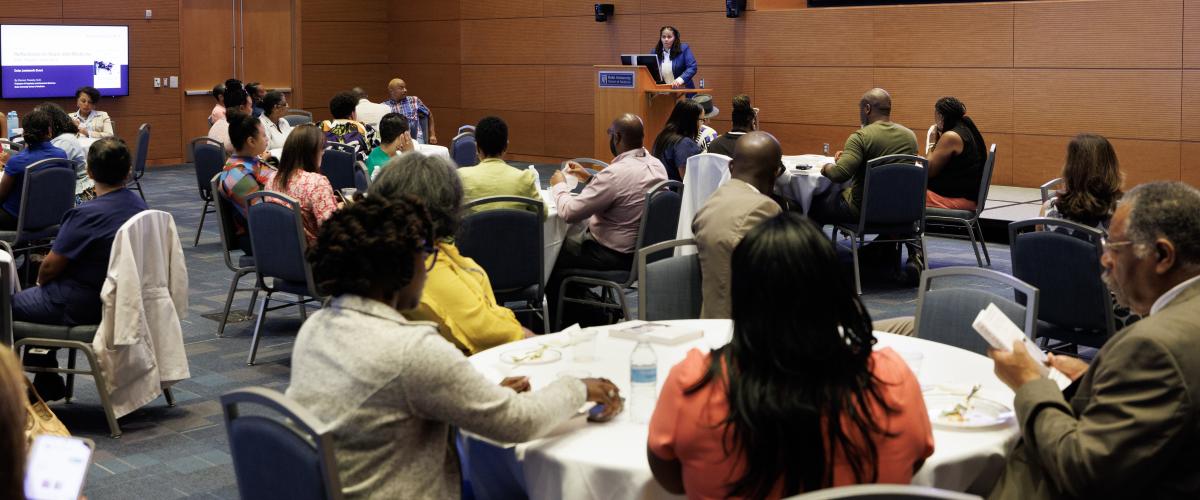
{"x": 608, "y": 461}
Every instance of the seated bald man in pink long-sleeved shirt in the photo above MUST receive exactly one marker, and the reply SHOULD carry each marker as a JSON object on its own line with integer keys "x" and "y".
{"x": 613, "y": 203}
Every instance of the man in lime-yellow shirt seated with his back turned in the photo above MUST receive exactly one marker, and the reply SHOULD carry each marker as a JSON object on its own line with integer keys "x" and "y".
{"x": 493, "y": 177}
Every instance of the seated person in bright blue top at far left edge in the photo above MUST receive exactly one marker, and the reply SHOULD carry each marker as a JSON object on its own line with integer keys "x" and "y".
{"x": 39, "y": 132}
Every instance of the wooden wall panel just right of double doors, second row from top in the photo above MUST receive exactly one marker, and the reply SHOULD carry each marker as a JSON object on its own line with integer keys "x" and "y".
{"x": 371, "y": 43}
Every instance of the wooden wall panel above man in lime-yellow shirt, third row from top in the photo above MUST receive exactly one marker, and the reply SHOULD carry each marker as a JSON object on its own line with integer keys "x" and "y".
{"x": 512, "y": 88}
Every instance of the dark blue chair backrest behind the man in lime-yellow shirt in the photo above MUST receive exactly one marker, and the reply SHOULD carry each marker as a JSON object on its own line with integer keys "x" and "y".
{"x": 507, "y": 243}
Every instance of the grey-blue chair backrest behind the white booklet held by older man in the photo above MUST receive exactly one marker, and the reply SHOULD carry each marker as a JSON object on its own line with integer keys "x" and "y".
{"x": 945, "y": 315}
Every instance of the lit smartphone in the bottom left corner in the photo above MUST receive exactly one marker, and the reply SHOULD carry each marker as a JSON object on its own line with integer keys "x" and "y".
{"x": 57, "y": 468}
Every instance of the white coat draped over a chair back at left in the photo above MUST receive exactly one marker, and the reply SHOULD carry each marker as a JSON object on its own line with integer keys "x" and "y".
{"x": 140, "y": 345}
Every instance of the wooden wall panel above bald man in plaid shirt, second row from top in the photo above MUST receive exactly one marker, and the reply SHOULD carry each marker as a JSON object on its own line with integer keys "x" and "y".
{"x": 441, "y": 43}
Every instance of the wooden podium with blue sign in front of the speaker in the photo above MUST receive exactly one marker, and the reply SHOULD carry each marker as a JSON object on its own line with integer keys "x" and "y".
{"x": 632, "y": 89}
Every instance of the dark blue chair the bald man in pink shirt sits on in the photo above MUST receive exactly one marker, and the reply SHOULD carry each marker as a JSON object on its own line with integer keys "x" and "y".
{"x": 659, "y": 221}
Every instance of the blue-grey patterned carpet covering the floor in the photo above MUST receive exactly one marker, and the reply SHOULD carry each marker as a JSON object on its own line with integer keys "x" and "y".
{"x": 183, "y": 451}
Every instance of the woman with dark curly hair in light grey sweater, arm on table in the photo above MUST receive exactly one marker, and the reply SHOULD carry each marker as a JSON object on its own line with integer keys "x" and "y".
{"x": 389, "y": 389}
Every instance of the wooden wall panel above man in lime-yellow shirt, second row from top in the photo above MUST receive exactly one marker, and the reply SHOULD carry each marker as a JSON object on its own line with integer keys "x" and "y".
{"x": 503, "y": 43}
